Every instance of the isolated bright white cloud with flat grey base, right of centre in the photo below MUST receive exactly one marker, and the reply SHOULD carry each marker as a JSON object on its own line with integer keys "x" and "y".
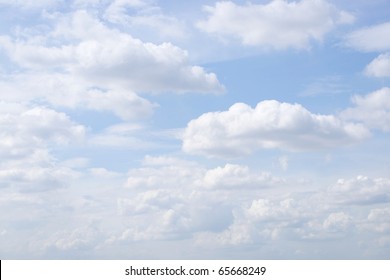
{"x": 241, "y": 130}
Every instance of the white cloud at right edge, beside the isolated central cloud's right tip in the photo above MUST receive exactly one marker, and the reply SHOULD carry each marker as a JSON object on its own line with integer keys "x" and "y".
{"x": 372, "y": 109}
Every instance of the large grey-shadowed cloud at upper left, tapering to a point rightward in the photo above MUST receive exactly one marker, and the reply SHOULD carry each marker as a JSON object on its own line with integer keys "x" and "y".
{"x": 107, "y": 58}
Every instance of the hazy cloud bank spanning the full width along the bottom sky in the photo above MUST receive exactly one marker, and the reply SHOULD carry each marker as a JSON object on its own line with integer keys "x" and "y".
{"x": 200, "y": 212}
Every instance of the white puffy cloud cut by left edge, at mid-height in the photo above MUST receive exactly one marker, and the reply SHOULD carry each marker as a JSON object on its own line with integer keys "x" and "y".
{"x": 28, "y": 135}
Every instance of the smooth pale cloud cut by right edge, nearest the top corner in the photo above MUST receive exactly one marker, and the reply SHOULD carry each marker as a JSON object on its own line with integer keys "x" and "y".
{"x": 370, "y": 39}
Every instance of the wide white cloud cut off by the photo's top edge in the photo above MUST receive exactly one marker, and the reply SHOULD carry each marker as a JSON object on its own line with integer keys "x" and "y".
{"x": 279, "y": 24}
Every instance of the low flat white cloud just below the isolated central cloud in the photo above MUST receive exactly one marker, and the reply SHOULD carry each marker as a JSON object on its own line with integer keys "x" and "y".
{"x": 171, "y": 172}
